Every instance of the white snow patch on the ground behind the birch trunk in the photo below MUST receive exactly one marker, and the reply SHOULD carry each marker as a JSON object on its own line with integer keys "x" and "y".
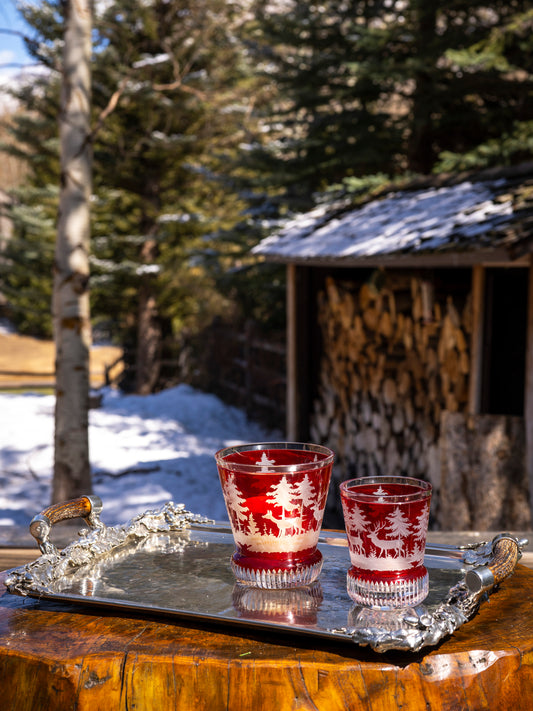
{"x": 144, "y": 451}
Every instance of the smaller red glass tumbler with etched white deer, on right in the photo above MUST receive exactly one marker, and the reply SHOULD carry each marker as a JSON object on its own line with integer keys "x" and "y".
{"x": 386, "y": 520}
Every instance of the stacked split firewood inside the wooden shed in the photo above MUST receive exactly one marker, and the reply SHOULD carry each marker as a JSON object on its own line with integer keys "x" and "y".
{"x": 393, "y": 359}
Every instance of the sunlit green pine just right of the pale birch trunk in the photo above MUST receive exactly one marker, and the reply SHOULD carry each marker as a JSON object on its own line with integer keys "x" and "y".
{"x": 177, "y": 68}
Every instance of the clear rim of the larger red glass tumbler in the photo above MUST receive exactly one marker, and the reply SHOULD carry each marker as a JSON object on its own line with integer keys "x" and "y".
{"x": 259, "y": 468}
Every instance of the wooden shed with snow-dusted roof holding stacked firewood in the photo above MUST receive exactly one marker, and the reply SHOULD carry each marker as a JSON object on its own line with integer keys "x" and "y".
{"x": 410, "y": 340}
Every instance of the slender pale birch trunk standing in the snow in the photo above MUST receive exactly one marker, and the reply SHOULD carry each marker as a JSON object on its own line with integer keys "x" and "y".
{"x": 72, "y": 329}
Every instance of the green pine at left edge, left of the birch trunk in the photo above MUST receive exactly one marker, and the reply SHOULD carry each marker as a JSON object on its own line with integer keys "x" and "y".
{"x": 26, "y": 268}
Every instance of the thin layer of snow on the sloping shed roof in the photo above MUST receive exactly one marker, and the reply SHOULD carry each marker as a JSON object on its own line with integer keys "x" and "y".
{"x": 429, "y": 221}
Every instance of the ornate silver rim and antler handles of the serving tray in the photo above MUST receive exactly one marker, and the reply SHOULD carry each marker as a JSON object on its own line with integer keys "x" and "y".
{"x": 410, "y": 629}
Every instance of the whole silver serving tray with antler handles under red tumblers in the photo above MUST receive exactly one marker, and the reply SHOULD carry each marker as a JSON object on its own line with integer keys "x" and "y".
{"x": 174, "y": 563}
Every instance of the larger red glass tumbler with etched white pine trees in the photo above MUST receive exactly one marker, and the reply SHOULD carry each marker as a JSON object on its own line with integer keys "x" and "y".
{"x": 275, "y": 495}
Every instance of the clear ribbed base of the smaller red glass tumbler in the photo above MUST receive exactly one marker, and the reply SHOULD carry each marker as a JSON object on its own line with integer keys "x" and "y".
{"x": 387, "y": 594}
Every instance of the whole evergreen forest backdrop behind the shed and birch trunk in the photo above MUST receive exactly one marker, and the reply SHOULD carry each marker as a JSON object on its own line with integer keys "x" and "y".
{"x": 214, "y": 121}
